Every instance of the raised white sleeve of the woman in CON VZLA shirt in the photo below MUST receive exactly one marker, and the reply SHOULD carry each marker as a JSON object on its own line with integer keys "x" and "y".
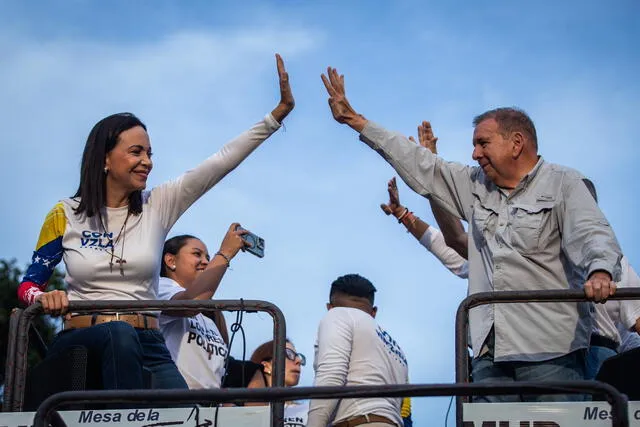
{"x": 173, "y": 198}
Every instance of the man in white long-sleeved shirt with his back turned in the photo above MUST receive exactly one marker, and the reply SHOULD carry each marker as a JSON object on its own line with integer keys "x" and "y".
{"x": 352, "y": 349}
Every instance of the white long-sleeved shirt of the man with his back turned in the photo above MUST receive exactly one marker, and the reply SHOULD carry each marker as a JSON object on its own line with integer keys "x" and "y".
{"x": 352, "y": 349}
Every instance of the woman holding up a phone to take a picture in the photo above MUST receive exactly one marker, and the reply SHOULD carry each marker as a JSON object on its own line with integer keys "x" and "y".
{"x": 198, "y": 344}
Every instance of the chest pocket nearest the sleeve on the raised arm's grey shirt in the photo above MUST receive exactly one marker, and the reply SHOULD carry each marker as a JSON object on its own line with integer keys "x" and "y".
{"x": 527, "y": 223}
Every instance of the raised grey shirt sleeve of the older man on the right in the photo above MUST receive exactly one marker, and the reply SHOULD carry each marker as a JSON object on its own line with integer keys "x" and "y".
{"x": 427, "y": 174}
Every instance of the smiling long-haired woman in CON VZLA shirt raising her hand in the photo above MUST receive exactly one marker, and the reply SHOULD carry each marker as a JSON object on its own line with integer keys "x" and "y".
{"x": 110, "y": 235}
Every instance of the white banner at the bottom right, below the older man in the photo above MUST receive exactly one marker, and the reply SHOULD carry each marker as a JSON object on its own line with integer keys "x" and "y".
{"x": 574, "y": 414}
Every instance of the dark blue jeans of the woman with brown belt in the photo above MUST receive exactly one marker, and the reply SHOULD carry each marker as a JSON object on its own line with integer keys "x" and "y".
{"x": 123, "y": 351}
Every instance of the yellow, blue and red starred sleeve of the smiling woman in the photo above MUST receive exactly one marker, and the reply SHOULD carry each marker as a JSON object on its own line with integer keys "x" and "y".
{"x": 47, "y": 255}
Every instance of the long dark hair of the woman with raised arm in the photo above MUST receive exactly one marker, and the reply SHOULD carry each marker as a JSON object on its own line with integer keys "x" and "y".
{"x": 101, "y": 140}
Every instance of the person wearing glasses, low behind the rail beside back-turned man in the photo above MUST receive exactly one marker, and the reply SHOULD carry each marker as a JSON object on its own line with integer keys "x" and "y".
{"x": 295, "y": 413}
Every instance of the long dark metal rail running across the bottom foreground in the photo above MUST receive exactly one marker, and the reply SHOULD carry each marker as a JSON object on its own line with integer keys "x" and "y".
{"x": 619, "y": 409}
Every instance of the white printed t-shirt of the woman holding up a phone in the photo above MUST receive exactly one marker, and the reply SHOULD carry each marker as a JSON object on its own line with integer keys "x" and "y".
{"x": 195, "y": 343}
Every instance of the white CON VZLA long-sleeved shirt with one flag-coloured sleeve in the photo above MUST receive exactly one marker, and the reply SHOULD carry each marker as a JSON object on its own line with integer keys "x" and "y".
{"x": 86, "y": 248}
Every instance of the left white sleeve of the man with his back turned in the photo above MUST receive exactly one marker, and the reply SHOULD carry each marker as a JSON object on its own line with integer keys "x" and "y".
{"x": 335, "y": 340}
